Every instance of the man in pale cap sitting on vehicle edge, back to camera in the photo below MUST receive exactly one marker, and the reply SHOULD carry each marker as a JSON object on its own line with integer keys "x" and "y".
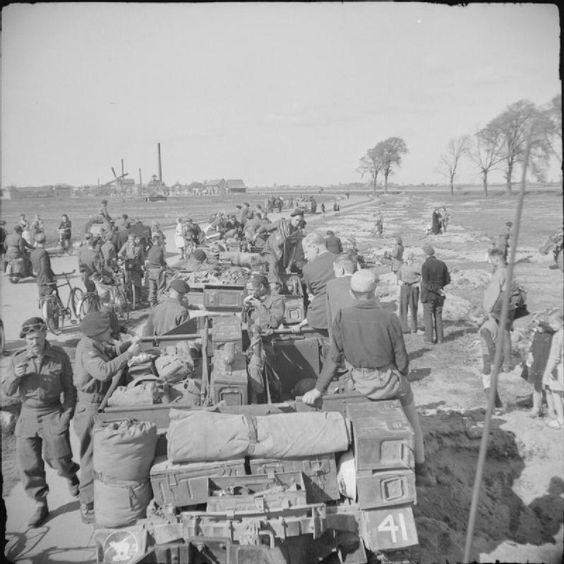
{"x": 369, "y": 339}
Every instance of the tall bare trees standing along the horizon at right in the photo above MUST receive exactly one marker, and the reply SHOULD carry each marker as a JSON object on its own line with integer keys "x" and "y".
{"x": 522, "y": 136}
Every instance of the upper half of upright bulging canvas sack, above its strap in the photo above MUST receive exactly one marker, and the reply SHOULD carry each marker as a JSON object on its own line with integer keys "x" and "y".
{"x": 124, "y": 450}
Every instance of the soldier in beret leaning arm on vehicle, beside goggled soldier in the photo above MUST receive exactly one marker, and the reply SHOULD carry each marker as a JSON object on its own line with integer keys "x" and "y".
{"x": 97, "y": 362}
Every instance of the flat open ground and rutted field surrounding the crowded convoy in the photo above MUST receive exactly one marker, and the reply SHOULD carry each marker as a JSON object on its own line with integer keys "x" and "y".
{"x": 520, "y": 514}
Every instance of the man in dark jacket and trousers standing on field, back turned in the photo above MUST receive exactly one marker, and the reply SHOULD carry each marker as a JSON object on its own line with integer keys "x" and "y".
{"x": 434, "y": 277}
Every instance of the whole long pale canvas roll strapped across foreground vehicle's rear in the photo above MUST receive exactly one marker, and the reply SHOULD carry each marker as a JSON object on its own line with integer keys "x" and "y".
{"x": 207, "y": 436}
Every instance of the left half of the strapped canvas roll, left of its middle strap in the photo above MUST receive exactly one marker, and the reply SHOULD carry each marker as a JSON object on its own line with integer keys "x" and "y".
{"x": 201, "y": 436}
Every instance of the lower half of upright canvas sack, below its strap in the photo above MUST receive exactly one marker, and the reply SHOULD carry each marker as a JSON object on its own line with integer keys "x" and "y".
{"x": 117, "y": 504}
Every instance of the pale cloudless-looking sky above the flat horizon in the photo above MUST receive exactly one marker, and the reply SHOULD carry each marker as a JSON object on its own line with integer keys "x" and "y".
{"x": 270, "y": 93}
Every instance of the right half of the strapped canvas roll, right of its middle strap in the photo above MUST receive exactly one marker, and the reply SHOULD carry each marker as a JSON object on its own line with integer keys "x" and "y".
{"x": 289, "y": 435}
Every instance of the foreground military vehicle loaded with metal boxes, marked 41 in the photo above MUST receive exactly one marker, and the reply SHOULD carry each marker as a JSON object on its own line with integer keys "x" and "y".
{"x": 338, "y": 501}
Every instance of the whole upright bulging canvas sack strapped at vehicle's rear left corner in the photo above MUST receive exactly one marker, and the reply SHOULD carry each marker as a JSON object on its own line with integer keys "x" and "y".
{"x": 123, "y": 454}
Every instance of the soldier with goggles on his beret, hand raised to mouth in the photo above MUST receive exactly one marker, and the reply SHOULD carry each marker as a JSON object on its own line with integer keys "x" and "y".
{"x": 39, "y": 374}
